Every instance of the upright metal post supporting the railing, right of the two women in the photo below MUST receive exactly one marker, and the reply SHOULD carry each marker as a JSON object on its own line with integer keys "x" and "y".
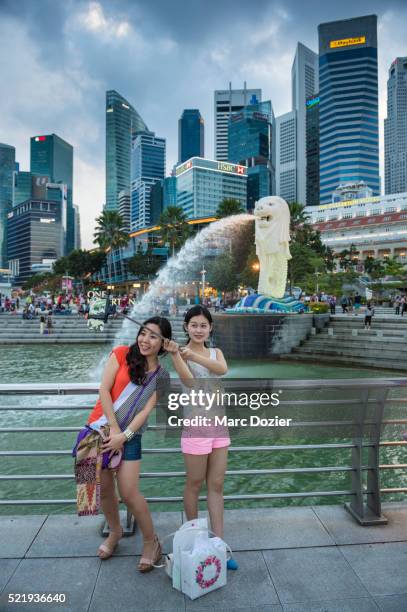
{"x": 368, "y": 513}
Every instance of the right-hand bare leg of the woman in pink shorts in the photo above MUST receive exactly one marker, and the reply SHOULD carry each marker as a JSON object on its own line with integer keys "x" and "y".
{"x": 215, "y": 476}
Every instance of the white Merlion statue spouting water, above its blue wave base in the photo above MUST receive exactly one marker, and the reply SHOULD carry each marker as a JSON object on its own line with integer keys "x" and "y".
{"x": 272, "y": 236}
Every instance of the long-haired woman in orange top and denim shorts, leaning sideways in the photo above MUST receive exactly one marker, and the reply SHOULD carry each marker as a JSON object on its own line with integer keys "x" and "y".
{"x": 131, "y": 373}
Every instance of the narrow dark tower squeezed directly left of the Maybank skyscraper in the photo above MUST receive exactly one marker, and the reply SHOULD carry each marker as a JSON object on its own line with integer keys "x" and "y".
{"x": 312, "y": 150}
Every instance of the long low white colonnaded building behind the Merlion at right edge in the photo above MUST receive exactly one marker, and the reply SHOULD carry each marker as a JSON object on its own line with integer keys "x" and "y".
{"x": 376, "y": 225}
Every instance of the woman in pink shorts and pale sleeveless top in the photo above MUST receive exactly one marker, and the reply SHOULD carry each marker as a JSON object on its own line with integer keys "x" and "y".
{"x": 205, "y": 457}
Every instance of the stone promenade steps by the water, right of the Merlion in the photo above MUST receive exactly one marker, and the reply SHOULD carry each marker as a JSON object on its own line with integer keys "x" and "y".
{"x": 346, "y": 342}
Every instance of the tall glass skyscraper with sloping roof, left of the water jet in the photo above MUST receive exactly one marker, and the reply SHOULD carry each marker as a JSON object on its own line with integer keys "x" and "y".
{"x": 122, "y": 124}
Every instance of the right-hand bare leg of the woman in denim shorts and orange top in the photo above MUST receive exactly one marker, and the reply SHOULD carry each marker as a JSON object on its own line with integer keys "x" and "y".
{"x": 128, "y": 481}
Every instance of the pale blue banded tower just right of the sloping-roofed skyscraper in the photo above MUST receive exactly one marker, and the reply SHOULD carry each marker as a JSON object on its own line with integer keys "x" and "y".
{"x": 147, "y": 167}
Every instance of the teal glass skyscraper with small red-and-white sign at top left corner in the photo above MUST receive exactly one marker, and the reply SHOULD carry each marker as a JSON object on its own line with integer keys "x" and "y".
{"x": 52, "y": 157}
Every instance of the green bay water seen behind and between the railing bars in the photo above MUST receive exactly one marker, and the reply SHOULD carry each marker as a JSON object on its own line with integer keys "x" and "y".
{"x": 81, "y": 363}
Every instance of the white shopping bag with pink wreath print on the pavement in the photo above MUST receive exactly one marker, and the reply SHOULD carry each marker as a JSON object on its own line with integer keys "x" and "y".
{"x": 203, "y": 569}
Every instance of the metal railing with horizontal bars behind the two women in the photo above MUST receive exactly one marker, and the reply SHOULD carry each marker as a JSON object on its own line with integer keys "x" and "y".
{"x": 367, "y": 399}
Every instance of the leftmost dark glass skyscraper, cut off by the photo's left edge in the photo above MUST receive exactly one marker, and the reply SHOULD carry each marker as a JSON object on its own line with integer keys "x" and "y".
{"x": 7, "y": 166}
